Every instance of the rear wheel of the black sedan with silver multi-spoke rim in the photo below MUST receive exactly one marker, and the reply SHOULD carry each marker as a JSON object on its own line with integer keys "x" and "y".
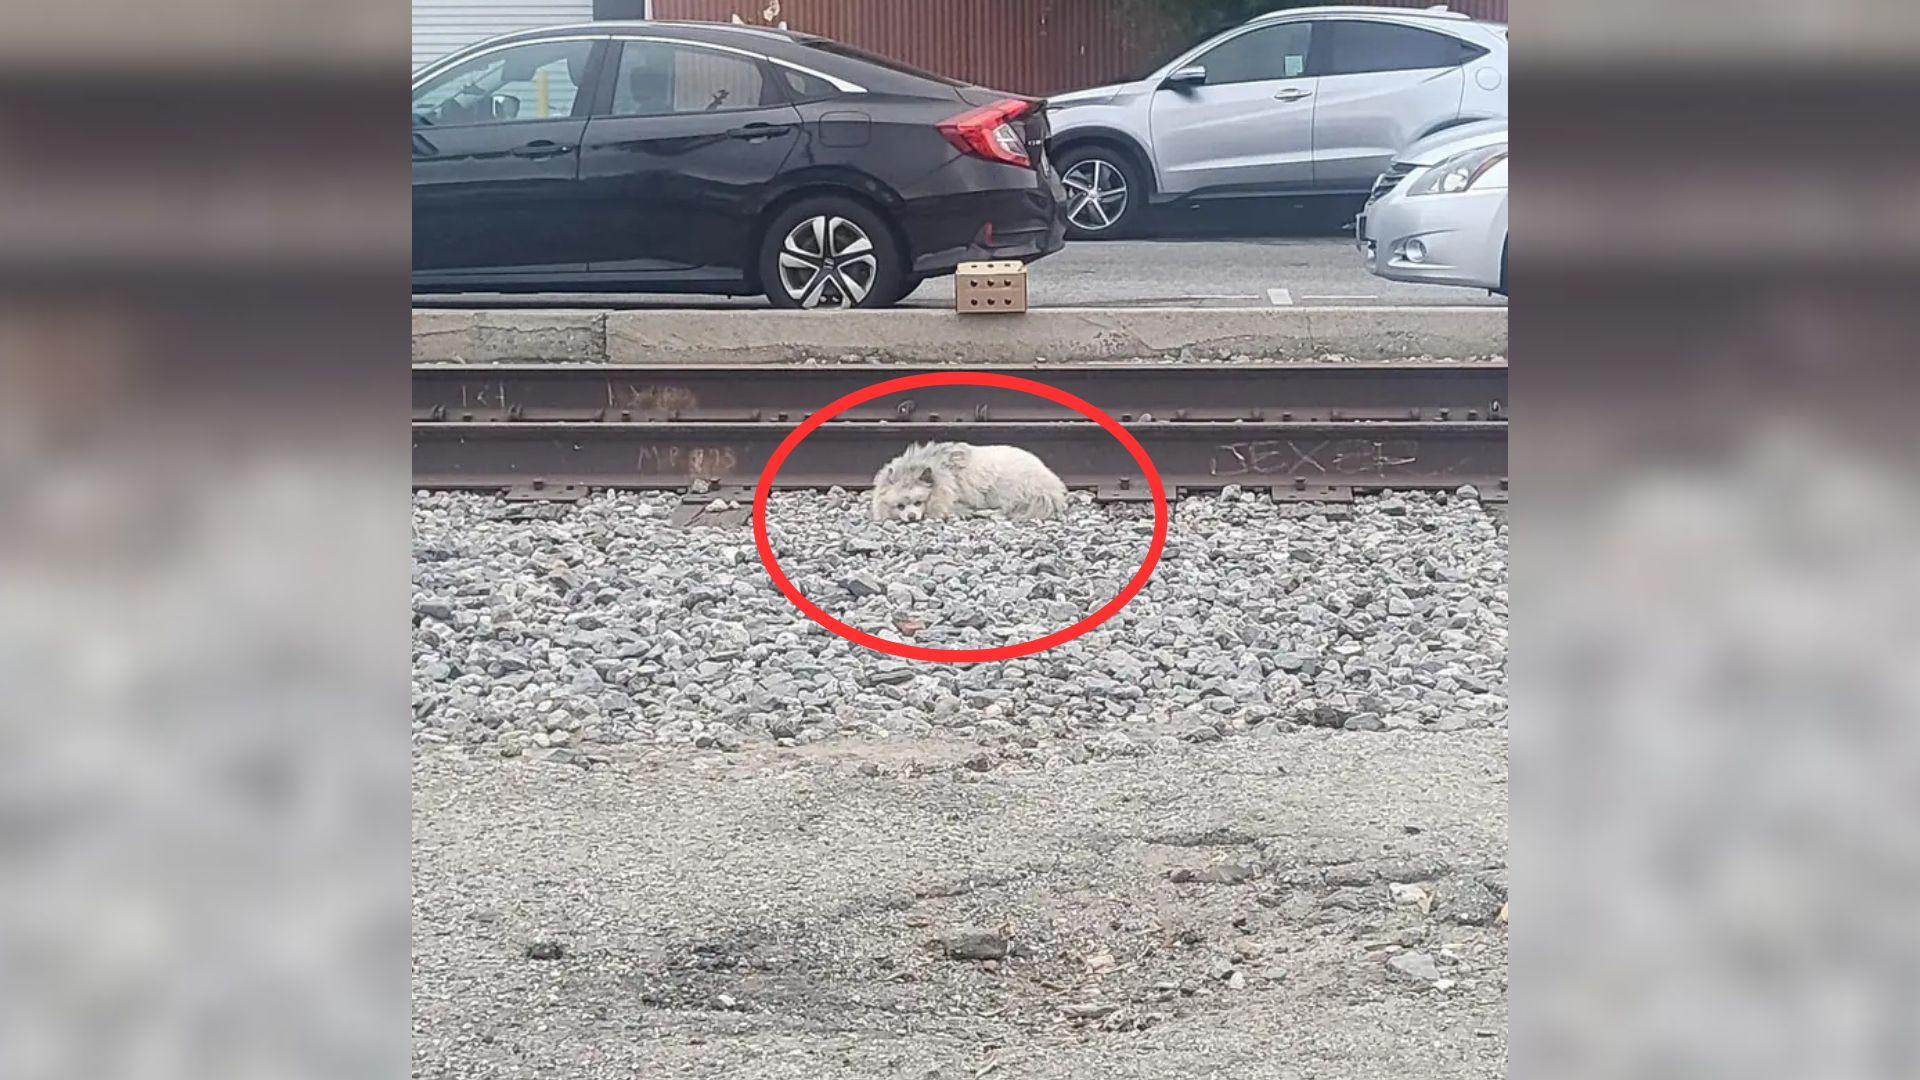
{"x": 830, "y": 253}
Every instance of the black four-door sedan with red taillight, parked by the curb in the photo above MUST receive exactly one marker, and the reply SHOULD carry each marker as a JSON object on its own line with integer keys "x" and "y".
{"x": 717, "y": 159}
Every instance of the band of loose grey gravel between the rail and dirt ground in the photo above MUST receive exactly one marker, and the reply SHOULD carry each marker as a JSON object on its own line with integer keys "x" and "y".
{"x": 562, "y": 631}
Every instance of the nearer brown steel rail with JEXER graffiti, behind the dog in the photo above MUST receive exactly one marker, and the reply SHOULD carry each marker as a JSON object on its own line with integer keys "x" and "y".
{"x": 1307, "y": 458}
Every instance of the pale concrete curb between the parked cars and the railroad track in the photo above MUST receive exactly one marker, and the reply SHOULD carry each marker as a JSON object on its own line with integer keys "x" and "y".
{"x": 942, "y": 337}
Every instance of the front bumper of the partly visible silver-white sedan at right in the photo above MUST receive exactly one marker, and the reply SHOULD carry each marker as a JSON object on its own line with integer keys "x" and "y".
{"x": 1435, "y": 239}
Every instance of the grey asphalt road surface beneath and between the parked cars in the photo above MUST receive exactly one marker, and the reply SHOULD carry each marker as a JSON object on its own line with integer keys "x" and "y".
{"x": 1128, "y": 274}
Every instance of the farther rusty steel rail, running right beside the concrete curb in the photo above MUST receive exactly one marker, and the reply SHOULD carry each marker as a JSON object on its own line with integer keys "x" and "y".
{"x": 1126, "y": 391}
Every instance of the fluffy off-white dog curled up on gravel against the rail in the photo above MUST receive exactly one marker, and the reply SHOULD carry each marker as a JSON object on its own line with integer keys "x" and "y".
{"x": 944, "y": 479}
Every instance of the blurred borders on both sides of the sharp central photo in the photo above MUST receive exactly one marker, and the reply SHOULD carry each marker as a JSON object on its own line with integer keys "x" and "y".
{"x": 204, "y": 539}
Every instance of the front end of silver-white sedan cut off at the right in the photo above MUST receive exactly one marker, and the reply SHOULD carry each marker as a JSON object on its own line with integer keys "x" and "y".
{"x": 1439, "y": 216}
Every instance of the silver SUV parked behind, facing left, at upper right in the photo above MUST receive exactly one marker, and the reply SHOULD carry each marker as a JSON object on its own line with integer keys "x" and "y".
{"x": 1299, "y": 103}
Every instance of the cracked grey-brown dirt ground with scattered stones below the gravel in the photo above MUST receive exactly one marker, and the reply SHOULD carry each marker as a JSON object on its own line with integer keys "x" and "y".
{"x": 1278, "y": 906}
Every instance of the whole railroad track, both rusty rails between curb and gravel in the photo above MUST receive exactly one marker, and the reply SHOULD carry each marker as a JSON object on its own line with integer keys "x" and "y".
{"x": 1301, "y": 431}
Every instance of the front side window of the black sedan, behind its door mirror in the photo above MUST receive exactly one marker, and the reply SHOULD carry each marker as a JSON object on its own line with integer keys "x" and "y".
{"x": 527, "y": 82}
